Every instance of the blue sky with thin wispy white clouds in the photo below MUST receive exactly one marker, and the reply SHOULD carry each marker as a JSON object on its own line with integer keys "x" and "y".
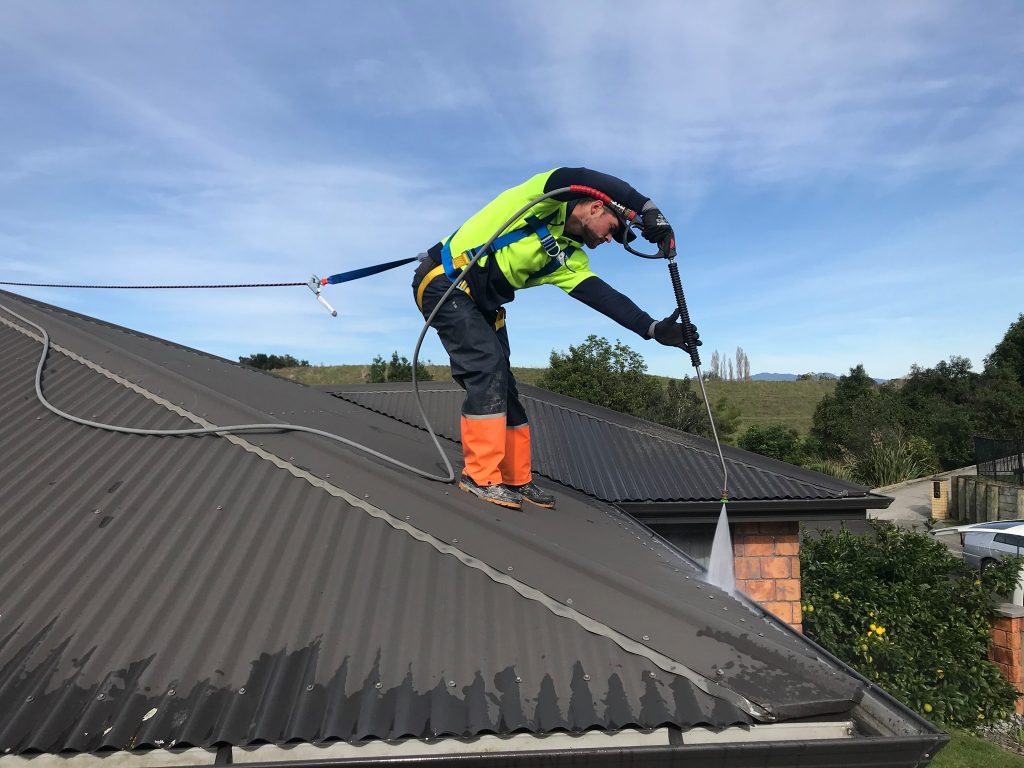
{"x": 845, "y": 180}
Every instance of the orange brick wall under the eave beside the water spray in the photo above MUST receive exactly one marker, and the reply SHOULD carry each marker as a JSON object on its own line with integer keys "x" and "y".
{"x": 767, "y": 567}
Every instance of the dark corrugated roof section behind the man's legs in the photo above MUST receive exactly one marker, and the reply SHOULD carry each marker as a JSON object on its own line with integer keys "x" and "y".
{"x": 611, "y": 456}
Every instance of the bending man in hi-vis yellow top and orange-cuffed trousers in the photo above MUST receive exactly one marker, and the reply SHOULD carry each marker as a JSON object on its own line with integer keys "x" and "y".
{"x": 472, "y": 324}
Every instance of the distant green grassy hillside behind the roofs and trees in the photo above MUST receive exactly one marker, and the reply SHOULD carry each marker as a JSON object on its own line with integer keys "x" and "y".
{"x": 788, "y": 403}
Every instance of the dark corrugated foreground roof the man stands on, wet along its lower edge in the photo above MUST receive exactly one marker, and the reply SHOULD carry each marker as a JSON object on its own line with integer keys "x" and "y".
{"x": 195, "y": 590}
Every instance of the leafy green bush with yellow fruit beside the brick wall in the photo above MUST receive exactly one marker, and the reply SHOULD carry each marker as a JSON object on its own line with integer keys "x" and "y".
{"x": 900, "y": 609}
